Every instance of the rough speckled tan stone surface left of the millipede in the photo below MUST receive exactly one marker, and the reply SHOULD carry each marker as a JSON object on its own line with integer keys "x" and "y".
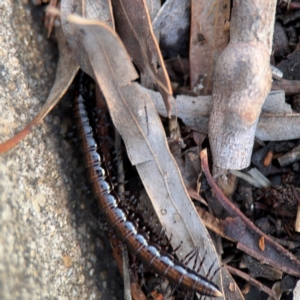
{"x": 50, "y": 243}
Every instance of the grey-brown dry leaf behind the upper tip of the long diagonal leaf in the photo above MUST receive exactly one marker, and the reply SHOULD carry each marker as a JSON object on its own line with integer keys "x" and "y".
{"x": 94, "y": 10}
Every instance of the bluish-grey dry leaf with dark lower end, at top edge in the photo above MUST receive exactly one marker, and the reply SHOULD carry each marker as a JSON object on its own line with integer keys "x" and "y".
{"x": 171, "y": 26}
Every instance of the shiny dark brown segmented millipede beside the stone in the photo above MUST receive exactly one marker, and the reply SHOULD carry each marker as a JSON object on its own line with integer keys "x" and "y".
{"x": 116, "y": 216}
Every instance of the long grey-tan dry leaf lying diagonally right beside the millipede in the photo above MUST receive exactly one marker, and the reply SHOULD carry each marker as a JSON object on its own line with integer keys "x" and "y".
{"x": 145, "y": 142}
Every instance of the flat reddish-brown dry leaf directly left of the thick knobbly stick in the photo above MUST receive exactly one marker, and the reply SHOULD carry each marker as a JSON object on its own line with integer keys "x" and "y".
{"x": 209, "y": 37}
